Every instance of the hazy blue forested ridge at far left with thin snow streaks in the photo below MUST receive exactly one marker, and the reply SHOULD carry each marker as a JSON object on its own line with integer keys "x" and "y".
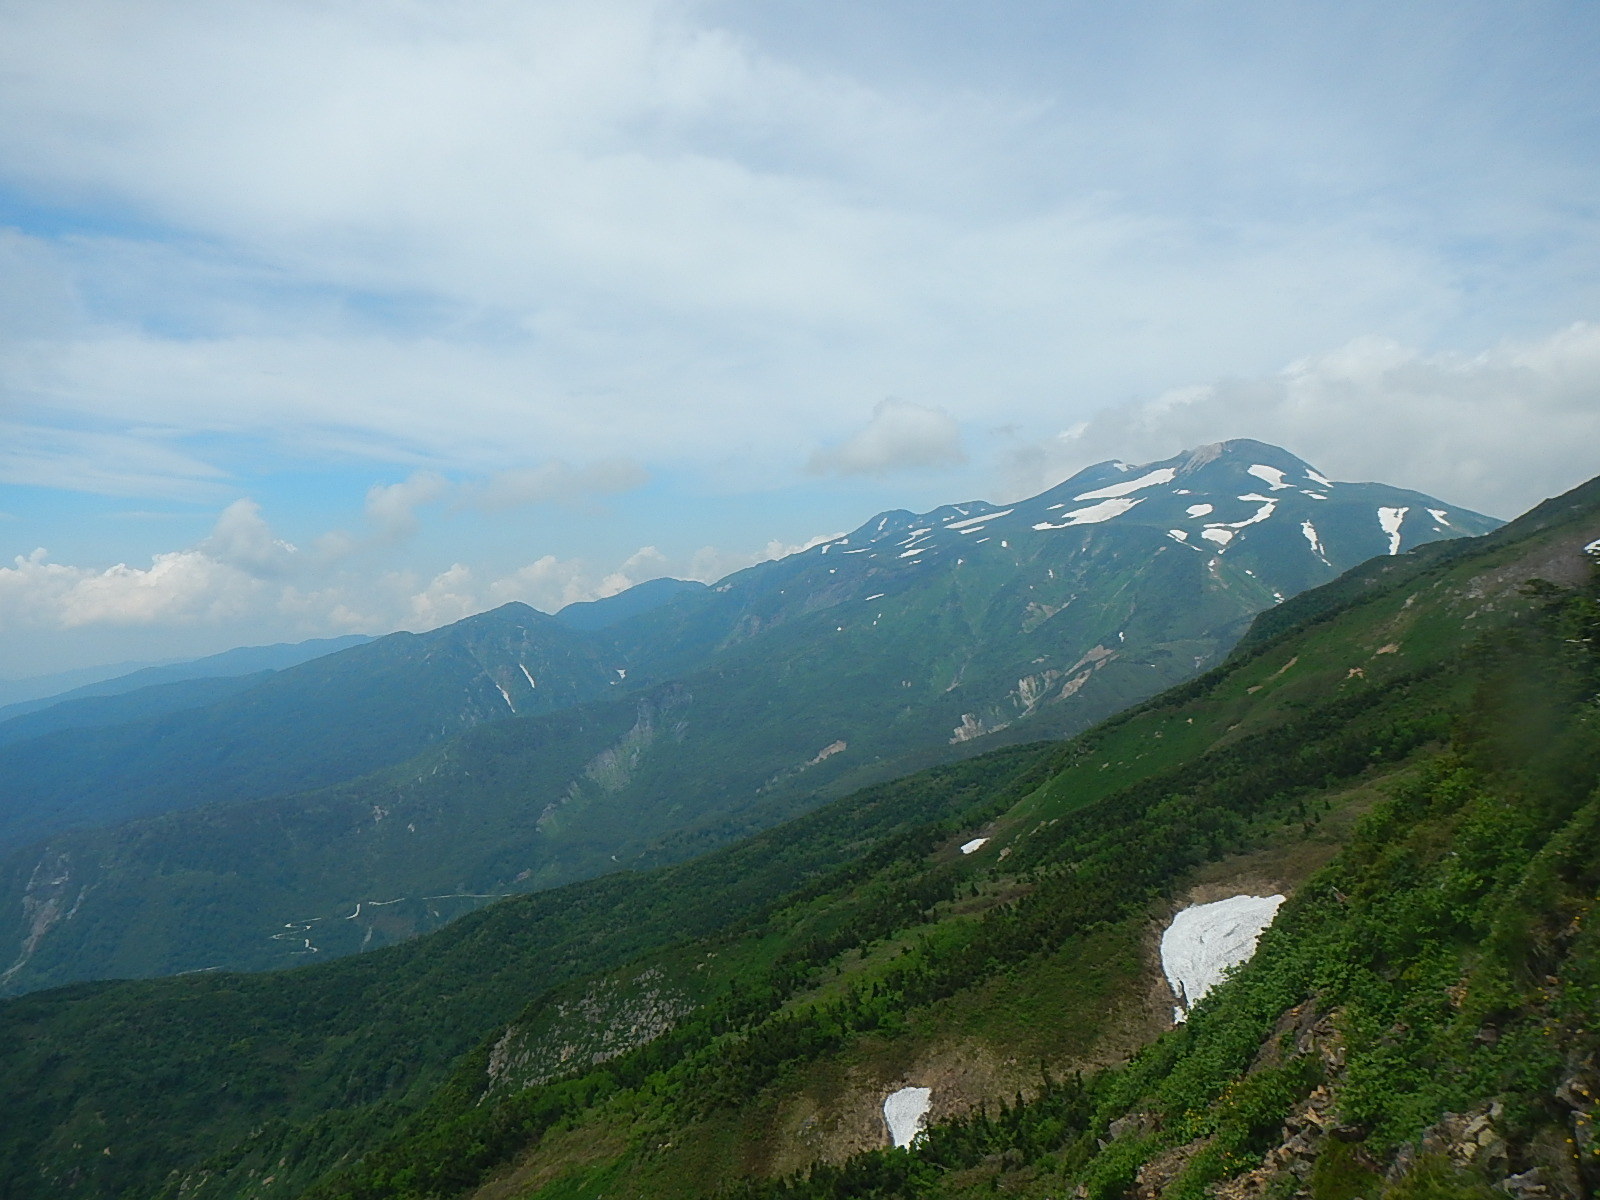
{"x": 314, "y": 724}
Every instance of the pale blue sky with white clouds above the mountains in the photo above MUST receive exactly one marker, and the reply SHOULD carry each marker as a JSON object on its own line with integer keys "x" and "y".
{"x": 354, "y": 316}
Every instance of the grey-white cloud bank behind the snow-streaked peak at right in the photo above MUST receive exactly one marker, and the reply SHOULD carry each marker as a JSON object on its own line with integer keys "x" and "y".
{"x": 1495, "y": 431}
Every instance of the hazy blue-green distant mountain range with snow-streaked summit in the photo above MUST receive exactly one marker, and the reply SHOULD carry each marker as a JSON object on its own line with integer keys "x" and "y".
{"x": 377, "y": 793}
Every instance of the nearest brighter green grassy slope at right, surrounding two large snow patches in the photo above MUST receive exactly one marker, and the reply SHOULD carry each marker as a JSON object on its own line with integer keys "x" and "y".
{"x": 1423, "y": 790}
